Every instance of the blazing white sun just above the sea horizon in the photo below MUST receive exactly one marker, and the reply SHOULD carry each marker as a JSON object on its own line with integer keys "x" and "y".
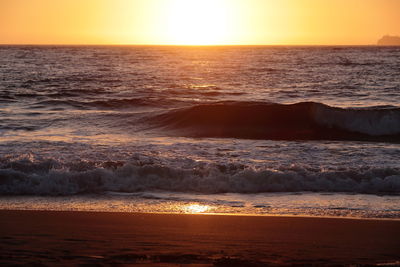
{"x": 198, "y": 22}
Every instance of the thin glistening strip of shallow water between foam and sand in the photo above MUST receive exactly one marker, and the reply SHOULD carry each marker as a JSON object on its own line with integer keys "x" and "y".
{"x": 357, "y": 207}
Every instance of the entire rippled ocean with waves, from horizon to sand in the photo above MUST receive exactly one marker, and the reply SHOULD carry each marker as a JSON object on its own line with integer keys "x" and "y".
{"x": 311, "y": 131}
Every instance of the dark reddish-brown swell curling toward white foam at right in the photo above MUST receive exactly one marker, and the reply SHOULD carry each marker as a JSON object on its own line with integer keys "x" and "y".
{"x": 302, "y": 121}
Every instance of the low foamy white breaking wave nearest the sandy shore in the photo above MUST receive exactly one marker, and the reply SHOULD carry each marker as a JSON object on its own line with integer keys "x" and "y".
{"x": 53, "y": 178}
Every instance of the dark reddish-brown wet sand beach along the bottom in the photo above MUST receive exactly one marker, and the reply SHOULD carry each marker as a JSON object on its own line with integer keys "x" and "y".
{"x": 75, "y": 238}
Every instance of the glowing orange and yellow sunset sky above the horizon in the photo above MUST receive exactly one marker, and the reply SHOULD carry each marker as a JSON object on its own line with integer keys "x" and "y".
{"x": 198, "y": 22}
